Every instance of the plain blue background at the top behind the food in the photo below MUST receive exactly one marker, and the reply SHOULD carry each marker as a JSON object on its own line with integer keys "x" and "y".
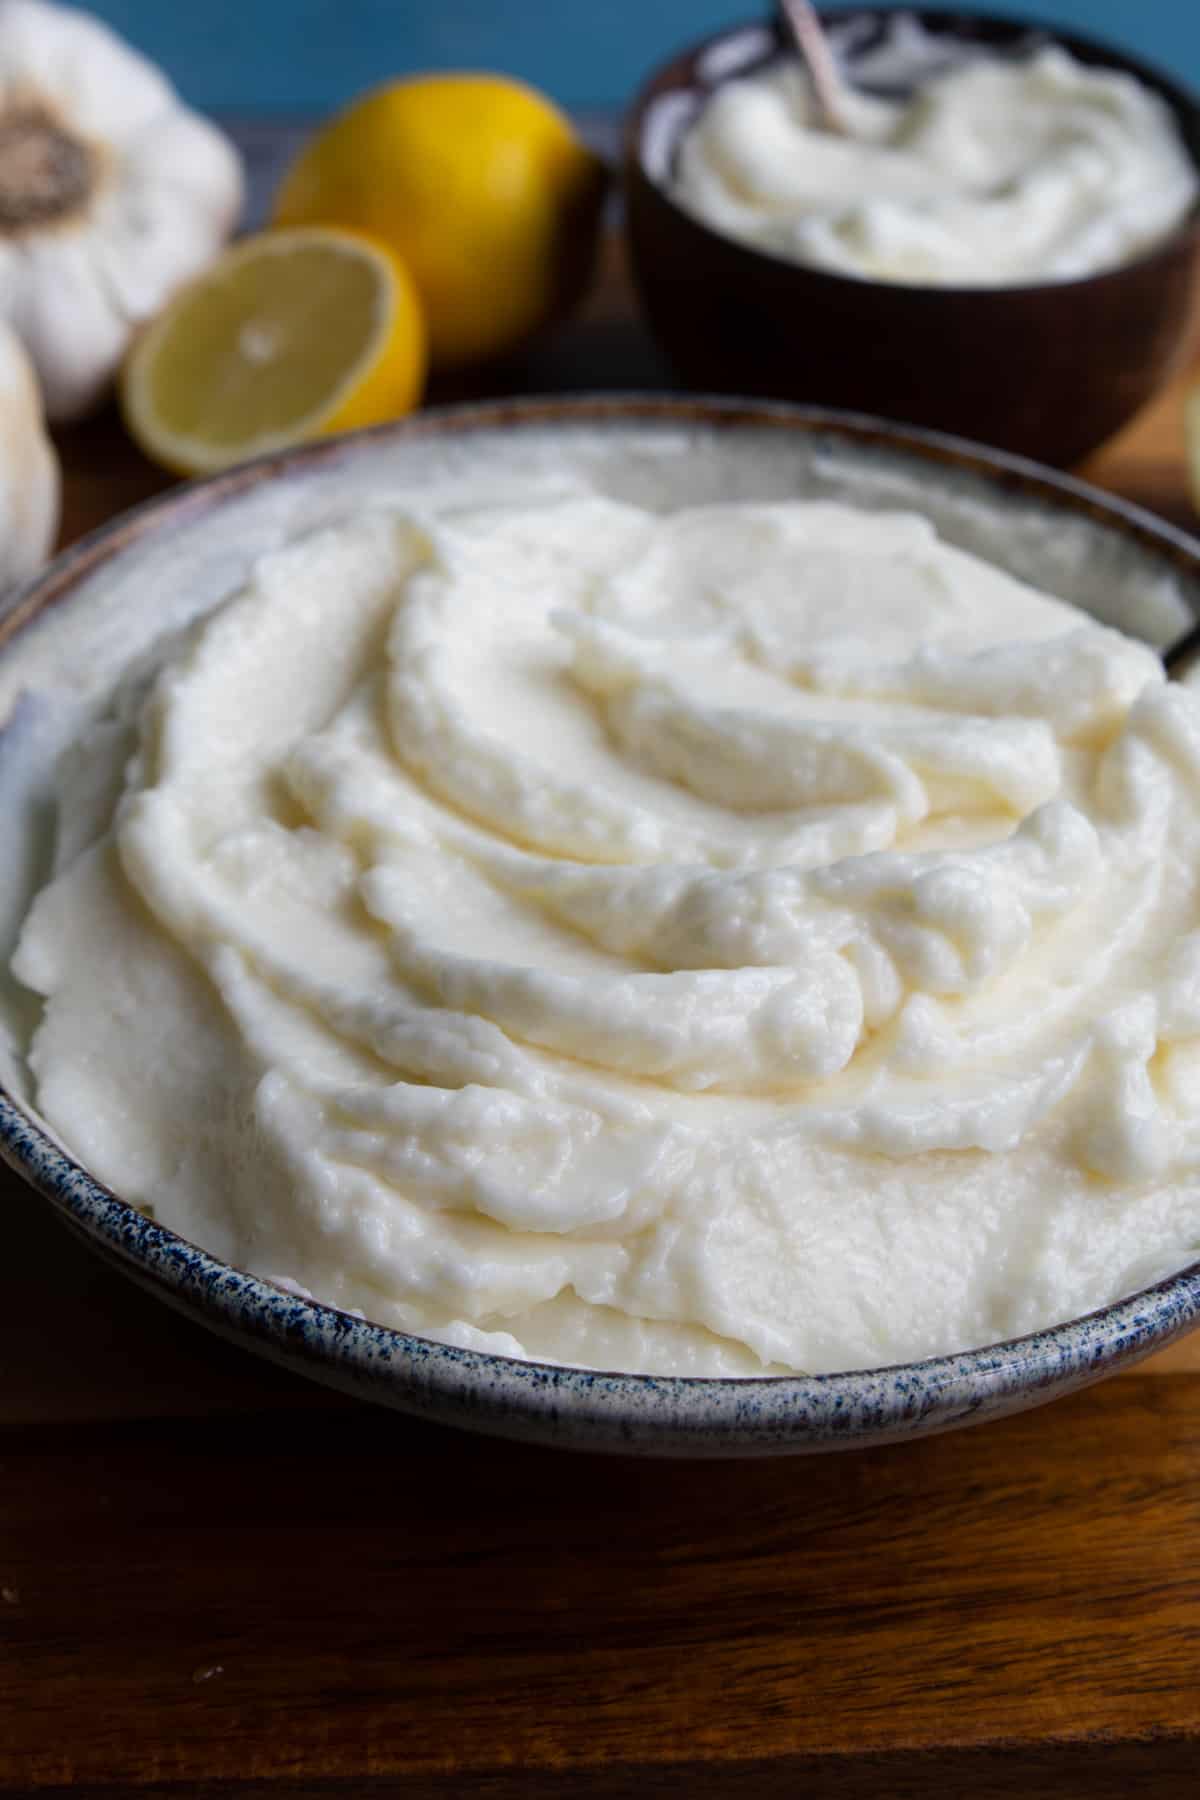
{"x": 312, "y": 55}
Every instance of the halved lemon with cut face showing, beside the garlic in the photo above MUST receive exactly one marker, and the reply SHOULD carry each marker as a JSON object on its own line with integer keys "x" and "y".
{"x": 289, "y": 336}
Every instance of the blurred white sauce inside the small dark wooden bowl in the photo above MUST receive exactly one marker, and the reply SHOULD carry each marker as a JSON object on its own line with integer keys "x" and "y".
{"x": 996, "y": 174}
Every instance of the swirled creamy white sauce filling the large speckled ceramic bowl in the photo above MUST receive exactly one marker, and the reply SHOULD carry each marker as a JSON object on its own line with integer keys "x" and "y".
{"x": 751, "y": 939}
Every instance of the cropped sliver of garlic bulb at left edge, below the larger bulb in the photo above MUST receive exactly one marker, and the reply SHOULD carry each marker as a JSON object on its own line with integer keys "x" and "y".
{"x": 28, "y": 467}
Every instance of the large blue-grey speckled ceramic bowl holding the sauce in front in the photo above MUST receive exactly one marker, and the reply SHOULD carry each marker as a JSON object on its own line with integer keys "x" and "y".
{"x": 192, "y": 548}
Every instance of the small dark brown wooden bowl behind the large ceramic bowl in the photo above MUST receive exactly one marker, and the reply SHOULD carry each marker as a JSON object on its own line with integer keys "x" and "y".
{"x": 1048, "y": 370}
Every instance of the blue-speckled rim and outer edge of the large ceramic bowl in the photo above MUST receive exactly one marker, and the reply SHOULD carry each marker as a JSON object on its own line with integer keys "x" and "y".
{"x": 559, "y": 1405}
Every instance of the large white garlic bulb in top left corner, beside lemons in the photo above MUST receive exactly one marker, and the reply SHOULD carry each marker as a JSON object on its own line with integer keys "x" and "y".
{"x": 112, "y": 193}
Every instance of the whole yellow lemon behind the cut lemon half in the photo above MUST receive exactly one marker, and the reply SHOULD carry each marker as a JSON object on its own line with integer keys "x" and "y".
{"x": 479, "y": 184}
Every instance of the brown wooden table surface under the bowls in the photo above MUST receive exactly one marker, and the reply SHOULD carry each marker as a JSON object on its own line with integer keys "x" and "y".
{"x": 219, "y": 1581}
